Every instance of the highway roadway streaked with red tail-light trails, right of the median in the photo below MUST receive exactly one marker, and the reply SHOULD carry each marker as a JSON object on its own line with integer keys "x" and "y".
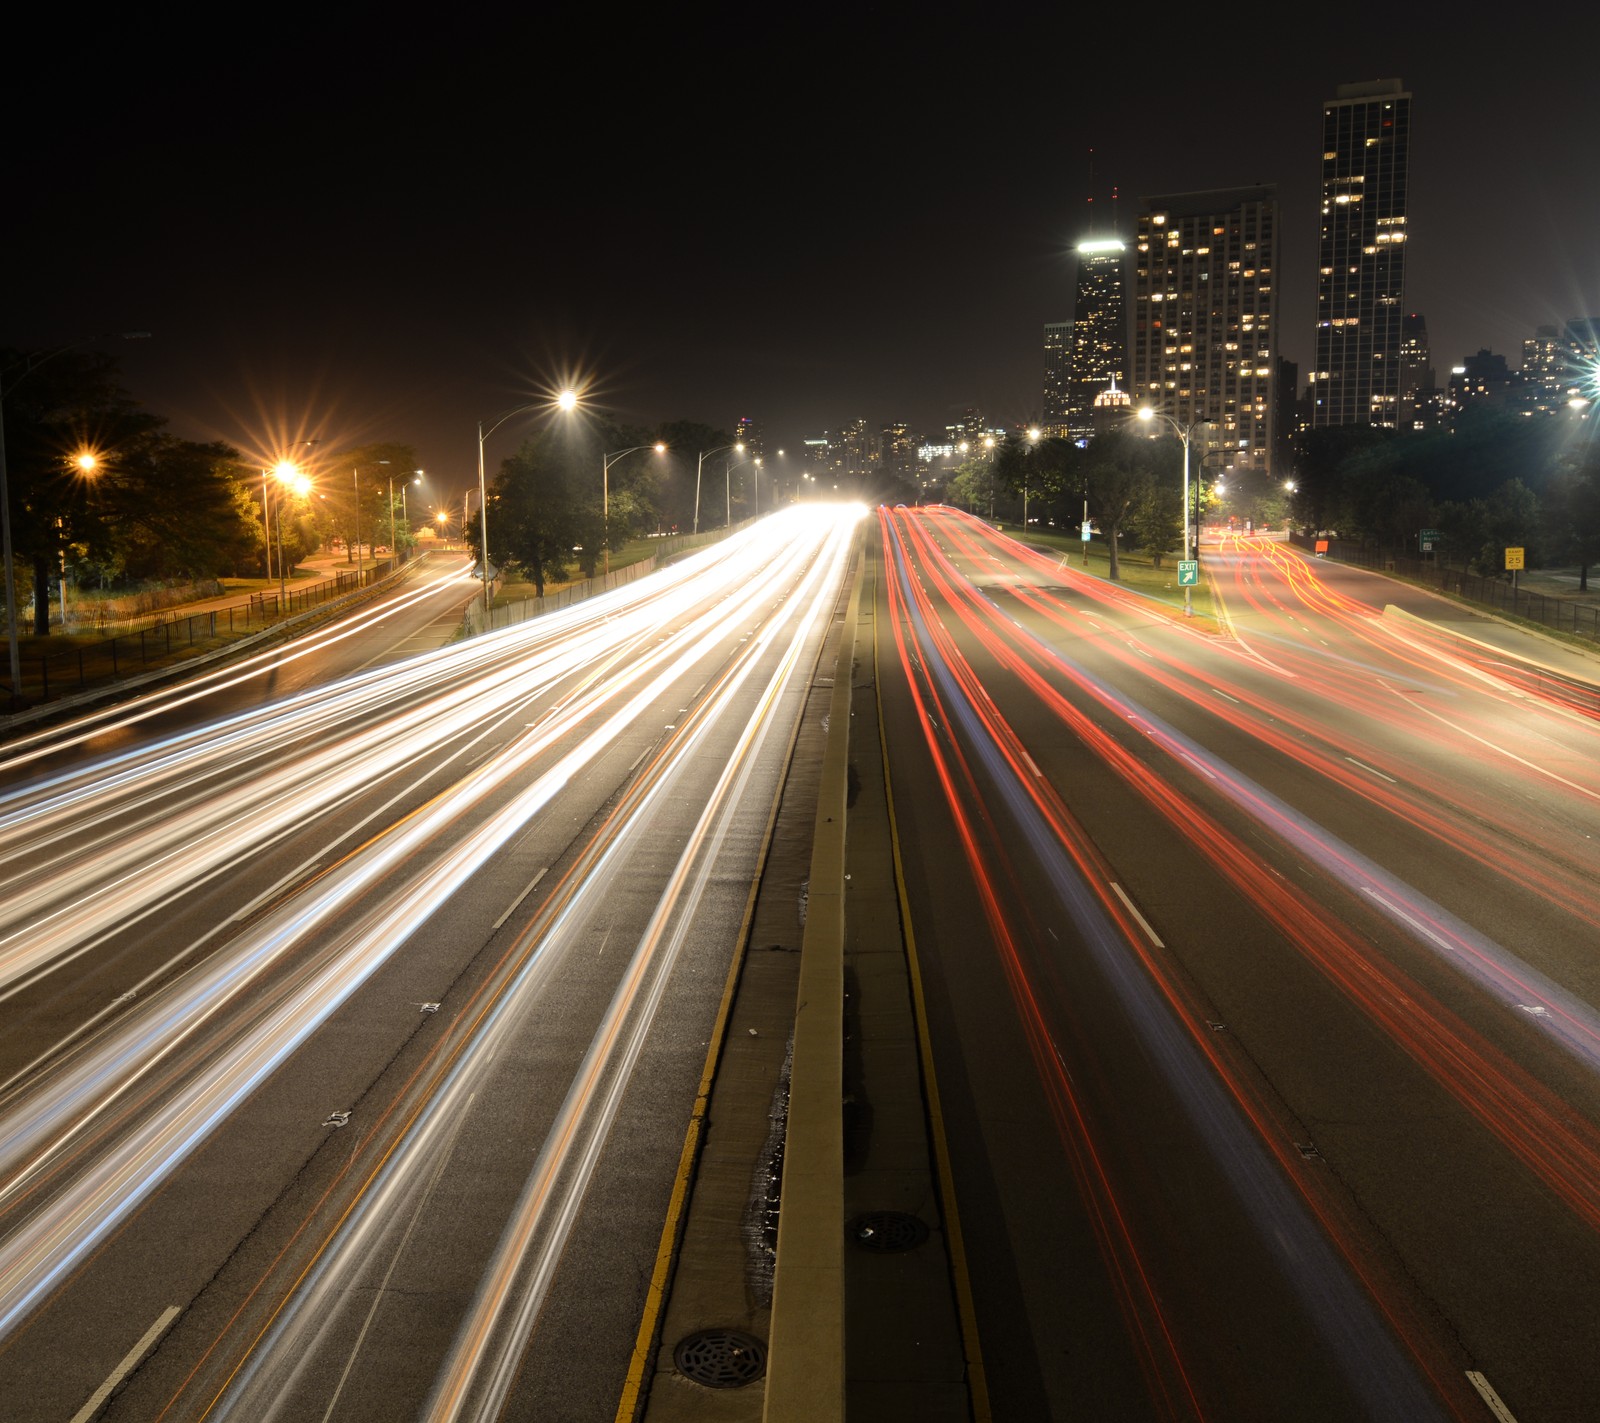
{"x": 1262, "y": 987}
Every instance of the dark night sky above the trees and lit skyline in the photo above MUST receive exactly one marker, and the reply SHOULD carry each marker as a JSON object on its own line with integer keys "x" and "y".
{"x": 358, "y": 226}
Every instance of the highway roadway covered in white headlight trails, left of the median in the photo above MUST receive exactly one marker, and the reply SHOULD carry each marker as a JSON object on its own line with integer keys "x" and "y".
{"x": 353, "y": 1025}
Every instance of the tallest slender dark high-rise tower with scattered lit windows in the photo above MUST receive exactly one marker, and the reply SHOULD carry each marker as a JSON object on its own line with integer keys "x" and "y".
{"x": 1361, "y": 259}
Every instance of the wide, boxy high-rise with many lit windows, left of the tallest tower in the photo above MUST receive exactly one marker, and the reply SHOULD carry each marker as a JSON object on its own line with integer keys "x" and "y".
{"x": 1204, "y": 318}
